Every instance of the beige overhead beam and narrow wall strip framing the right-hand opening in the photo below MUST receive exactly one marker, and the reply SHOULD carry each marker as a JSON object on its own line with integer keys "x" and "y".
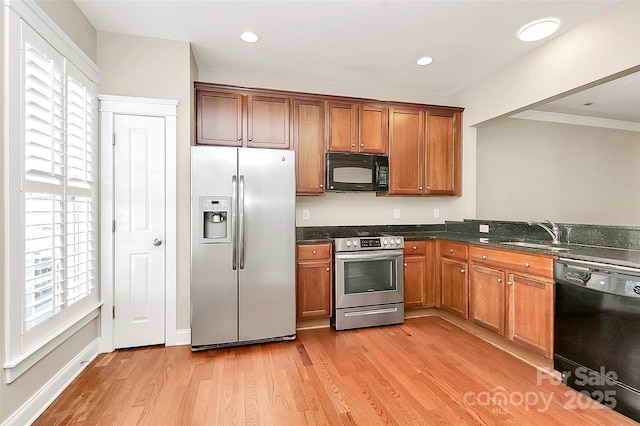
{"x": 604, "y": 46}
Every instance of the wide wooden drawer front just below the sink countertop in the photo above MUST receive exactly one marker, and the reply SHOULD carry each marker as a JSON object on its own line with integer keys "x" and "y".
{"x": 514, "y": 261}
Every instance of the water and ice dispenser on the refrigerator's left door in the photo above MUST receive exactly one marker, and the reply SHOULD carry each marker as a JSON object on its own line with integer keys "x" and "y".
{"x": 216, "y": 219}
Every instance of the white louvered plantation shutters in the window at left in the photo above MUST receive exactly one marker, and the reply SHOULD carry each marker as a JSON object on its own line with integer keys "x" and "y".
{"x": 59, "y": 189}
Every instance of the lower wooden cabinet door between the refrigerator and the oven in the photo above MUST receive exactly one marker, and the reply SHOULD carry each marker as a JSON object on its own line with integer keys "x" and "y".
{"x": 314, "y": 287}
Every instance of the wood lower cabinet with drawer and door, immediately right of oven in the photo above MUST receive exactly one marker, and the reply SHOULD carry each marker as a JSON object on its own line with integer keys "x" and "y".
{"x": 419, "y": 277}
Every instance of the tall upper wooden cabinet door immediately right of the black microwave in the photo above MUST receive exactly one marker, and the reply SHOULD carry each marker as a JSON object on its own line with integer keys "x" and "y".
{"x": 406, "y": 146}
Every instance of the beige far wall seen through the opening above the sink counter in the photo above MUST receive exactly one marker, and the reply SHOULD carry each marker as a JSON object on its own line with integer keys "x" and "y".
{"x": 532, "y": 170}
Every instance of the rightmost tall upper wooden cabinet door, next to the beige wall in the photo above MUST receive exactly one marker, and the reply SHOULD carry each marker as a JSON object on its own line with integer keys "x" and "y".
{"x": 443, "y": 153}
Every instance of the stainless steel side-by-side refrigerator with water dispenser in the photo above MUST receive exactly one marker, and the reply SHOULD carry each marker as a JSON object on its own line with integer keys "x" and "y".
{"x": 242, "y": 246}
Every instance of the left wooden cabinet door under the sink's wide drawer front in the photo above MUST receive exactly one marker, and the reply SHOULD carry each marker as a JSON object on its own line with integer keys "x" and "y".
{"x": 487, "y": 298}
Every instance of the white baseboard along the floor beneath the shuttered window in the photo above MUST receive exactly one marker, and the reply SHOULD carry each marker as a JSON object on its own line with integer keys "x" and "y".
{"x": 39, "y": 402}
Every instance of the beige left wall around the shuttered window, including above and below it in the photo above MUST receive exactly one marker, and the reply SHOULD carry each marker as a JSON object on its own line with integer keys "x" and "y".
{"x": 67, "y": 15}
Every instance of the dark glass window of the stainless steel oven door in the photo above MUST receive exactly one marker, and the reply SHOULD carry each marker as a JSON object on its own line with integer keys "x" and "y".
{"x": 369, "y": 276}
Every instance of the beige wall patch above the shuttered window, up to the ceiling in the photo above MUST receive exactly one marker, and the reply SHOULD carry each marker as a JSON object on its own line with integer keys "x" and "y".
{"x": 67, "y": 15}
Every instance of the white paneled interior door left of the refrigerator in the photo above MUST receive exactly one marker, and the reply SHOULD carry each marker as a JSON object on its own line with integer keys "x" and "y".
{"x": 139, "y": 212}
